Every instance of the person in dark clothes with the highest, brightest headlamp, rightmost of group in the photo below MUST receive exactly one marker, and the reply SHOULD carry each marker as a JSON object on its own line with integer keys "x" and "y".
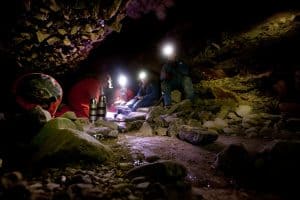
{"x": 175, "y": 75}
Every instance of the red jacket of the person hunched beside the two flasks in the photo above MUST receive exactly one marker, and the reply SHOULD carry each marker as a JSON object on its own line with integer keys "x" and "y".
{"x": 80, "y": 94}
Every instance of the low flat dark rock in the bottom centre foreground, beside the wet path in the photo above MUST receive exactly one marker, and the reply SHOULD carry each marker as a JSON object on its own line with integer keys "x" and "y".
{"x": 164, "y": 170}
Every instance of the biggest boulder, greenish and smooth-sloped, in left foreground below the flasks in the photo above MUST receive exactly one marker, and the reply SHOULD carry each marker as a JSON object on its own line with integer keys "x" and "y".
{"x": 59, "y": 142}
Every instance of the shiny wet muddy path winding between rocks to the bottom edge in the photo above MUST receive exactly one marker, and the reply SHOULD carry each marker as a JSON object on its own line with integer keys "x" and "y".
{"x": 199, "y": 162}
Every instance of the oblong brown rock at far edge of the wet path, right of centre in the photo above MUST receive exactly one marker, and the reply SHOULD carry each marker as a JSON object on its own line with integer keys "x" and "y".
{"x": 197, "y": 136}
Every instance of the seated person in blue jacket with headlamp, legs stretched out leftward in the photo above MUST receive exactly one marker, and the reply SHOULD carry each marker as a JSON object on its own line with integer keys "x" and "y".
{"x": 147, "y": 95}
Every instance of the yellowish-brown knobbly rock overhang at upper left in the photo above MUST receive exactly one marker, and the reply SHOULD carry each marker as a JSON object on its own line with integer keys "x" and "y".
{"x": 53, "y": 36}
